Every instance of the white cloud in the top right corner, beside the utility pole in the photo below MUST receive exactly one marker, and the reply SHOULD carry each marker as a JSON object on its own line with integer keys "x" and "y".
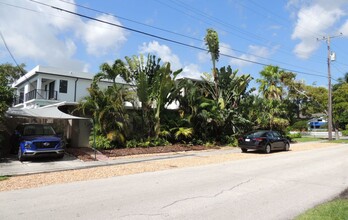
{"x": 314, "y": 19}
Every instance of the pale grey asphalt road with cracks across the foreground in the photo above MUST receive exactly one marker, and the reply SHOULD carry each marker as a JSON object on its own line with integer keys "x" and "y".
{"x": 277, "y": 187}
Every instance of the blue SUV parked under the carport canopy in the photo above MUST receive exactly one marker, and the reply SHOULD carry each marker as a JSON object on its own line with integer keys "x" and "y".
{"x": 37, "y": 140}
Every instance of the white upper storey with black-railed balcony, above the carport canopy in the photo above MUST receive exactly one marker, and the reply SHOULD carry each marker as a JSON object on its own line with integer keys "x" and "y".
{"x": 44, "y": 86}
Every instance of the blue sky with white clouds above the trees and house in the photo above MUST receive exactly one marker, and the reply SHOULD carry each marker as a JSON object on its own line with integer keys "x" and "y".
{"x": 80, "y": 35}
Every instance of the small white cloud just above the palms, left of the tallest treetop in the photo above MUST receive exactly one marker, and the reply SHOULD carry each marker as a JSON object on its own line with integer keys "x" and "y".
{"x": 161, "y": 51}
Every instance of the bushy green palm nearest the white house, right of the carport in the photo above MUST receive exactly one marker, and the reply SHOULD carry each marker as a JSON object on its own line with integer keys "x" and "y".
{"x": 106, "y": 107}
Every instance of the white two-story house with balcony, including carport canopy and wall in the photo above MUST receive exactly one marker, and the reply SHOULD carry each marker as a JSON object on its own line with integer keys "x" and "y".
{"x": 44, "y": 91}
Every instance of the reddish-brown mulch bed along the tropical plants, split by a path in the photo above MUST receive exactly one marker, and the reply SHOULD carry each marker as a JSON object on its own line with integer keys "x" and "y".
{"x": 87, "y": 154}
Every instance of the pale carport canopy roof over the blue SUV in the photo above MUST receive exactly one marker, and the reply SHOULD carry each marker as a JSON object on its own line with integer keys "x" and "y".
{"x": 51, "y": 112}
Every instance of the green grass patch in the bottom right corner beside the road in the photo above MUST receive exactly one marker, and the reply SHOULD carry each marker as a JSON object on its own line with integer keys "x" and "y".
{"x": 336, "y": 209}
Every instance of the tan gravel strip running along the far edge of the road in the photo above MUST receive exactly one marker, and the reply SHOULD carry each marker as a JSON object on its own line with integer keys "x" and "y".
{"x": 38, "y": 180}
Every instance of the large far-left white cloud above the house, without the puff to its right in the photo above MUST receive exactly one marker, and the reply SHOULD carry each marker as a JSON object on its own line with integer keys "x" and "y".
{"x": 34, "y": 36}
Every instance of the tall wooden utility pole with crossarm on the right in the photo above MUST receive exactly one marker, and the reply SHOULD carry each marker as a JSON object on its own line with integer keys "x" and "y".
{"x": 329, "y": 112}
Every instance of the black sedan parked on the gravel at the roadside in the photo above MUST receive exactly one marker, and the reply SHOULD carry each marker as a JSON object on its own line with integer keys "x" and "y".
{"x": 265, "y": 140}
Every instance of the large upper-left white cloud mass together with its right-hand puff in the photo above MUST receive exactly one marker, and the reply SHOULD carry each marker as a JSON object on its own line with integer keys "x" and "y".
{"x": 45, "y": 36}
